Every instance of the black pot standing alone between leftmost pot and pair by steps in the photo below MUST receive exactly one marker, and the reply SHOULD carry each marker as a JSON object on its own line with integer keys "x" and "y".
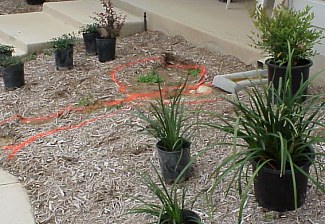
{"x": 64, "y": 58}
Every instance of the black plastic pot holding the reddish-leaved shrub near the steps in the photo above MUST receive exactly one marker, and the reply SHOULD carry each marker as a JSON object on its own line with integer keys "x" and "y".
{"x": 106, "y": 49}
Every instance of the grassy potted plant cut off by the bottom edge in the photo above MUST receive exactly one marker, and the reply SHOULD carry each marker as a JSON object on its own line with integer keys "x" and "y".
{"x": 171, "y": 209}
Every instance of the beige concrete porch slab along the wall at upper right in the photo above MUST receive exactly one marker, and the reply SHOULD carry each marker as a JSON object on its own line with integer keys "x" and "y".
{"x": 208, "y": 24}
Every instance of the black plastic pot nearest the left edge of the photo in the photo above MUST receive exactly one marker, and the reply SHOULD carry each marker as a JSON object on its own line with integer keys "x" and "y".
{"x": 13, "y": 76}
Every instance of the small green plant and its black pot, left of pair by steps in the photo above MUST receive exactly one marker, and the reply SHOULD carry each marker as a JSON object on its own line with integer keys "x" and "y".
{"x": 63, "y": 51}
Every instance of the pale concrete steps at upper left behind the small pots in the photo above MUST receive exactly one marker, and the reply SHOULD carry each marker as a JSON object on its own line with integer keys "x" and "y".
{"x": 30, "y": 32}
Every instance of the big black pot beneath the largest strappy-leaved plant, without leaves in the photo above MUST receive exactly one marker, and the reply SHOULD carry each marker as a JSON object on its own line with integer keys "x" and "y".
{"x": 275, "y": 192}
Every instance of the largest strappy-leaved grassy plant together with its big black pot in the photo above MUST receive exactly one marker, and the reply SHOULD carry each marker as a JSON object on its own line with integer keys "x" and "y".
{"x": 277, "y": 140}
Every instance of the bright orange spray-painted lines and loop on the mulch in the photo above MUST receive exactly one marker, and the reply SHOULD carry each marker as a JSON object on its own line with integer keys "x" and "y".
{"x": 121, "y": 88}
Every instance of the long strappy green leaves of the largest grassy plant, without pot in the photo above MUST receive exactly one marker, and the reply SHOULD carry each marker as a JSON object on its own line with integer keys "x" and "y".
{"x": 277, "y": 128}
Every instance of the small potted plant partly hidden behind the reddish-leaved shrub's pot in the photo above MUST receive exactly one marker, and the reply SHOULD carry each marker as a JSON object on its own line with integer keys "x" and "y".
{"x": 89, "y": 34}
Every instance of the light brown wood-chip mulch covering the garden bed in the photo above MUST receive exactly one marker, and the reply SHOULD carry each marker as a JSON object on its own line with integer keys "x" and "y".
{"x": 83, "y": 166}
